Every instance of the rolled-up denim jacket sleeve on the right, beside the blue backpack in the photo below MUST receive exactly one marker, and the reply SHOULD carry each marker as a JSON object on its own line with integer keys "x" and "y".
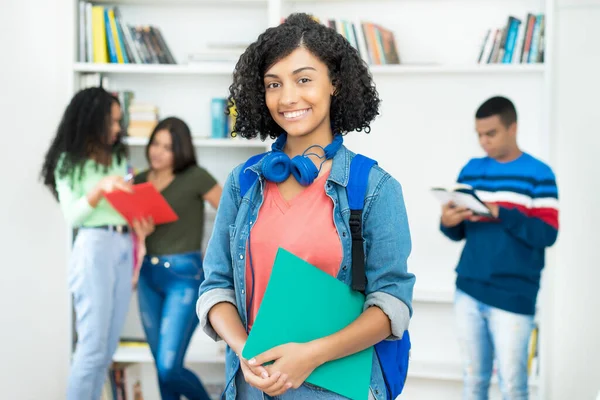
{"x": 388, "y": 246}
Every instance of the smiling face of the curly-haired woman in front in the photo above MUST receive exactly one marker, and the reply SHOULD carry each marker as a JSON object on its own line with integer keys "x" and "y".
{"x": 298, "y": 93}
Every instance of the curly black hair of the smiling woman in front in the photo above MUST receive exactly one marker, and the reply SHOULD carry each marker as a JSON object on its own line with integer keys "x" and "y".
{"x": 355, "y": 102}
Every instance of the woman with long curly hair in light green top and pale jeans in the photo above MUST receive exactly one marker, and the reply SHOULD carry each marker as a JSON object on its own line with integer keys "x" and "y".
{"x": 86, "y": 160}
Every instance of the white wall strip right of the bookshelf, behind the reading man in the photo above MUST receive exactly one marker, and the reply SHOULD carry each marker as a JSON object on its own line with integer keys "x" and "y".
{"x": 575, "y": 349}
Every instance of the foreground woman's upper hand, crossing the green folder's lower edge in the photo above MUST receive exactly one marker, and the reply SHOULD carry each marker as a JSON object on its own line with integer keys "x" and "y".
{"x": 295, "y": 362}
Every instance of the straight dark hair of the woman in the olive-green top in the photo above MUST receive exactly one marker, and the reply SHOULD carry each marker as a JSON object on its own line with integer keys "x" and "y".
{"x": 182, "y": 147}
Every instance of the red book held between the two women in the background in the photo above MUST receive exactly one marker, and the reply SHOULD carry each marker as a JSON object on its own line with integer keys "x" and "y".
{"x": 144, "y": 202}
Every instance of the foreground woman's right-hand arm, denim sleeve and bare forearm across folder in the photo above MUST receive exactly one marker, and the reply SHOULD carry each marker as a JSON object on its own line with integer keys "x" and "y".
{"x": 389, "y": 288}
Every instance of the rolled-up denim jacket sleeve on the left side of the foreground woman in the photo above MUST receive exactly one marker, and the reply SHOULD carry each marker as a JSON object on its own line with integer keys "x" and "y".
{"x": 218, "y": 286}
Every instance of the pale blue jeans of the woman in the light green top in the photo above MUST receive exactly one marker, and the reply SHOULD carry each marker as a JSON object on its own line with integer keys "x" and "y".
{"x": 100, "y": 274}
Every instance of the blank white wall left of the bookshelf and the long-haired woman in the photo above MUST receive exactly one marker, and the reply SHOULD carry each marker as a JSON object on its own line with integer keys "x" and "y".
{"x": 33, "y": 293}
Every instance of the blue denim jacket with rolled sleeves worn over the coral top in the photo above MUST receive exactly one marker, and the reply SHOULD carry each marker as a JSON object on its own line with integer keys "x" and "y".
{"x": 387, "y": 247}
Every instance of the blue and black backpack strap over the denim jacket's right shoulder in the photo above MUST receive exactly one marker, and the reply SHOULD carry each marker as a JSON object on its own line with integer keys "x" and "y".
{"x": 360, "y": 166}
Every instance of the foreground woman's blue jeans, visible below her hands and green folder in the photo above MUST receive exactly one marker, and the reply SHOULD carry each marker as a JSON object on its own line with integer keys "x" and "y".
{"x": 304, "y": 392}
